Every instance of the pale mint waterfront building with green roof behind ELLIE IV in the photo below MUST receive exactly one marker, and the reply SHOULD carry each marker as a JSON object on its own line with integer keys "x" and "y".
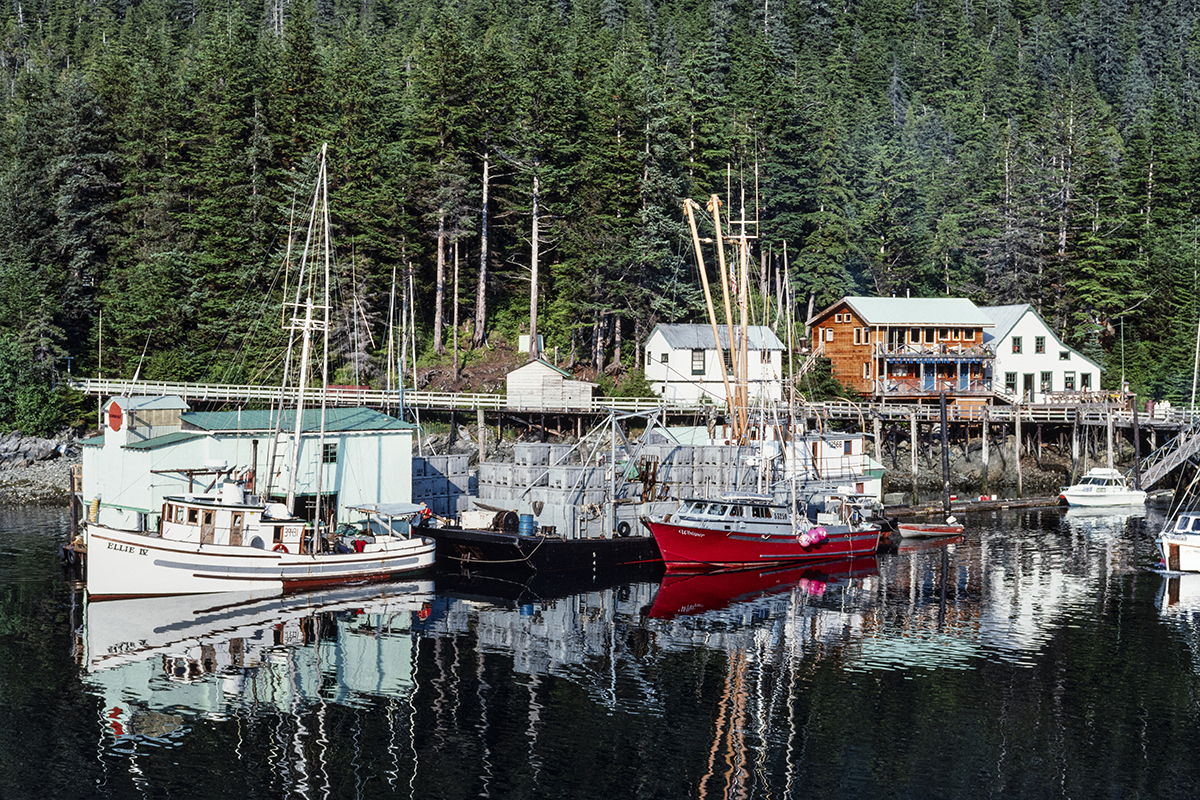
{"x": 152, "y": 448}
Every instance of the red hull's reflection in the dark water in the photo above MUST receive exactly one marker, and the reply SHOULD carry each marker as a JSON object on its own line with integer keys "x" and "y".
{"x": 695, "y": 593}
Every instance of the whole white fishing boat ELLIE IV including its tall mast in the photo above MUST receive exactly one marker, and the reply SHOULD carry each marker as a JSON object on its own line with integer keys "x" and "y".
{"x": 227, "y": 539}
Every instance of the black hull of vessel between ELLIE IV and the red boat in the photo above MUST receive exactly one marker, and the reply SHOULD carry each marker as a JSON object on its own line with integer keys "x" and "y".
{"x": 541, "y": 554}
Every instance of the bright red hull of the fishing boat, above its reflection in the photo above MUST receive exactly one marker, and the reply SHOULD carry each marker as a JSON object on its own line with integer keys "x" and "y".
{"x": 695, "y": 548}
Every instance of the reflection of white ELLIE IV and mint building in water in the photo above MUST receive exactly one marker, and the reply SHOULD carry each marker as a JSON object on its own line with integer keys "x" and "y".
{"x": 160, "y": 663}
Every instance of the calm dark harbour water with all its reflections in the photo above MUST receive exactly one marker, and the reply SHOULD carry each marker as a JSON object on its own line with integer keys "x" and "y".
{"x": 1041, "y": 657}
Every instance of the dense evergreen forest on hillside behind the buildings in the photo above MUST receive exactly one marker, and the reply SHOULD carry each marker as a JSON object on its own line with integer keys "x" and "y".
{"x": 493, "y": 157}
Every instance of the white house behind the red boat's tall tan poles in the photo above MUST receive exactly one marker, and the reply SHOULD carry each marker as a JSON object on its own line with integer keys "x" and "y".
{"x": 683, "y": 364}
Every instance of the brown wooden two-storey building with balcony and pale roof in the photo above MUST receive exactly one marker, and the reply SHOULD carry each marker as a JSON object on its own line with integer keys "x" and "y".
{"x": 908, "y": 350}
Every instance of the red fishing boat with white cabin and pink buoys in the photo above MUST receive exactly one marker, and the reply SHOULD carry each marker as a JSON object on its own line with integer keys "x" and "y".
{"x": 751, "y": 530}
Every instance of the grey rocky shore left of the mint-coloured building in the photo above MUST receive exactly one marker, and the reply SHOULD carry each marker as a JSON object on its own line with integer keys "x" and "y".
{"x": 35, "y": 471}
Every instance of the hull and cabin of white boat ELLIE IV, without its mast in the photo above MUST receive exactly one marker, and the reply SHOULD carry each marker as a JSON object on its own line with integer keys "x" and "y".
{"x": 227, "y": 542}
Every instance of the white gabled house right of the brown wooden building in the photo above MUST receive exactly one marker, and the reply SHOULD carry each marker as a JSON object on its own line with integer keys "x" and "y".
{"x": 1033, "y": 364}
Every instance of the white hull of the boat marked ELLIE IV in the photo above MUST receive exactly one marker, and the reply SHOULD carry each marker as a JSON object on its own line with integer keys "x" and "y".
{"x": 133, "y": 564}
